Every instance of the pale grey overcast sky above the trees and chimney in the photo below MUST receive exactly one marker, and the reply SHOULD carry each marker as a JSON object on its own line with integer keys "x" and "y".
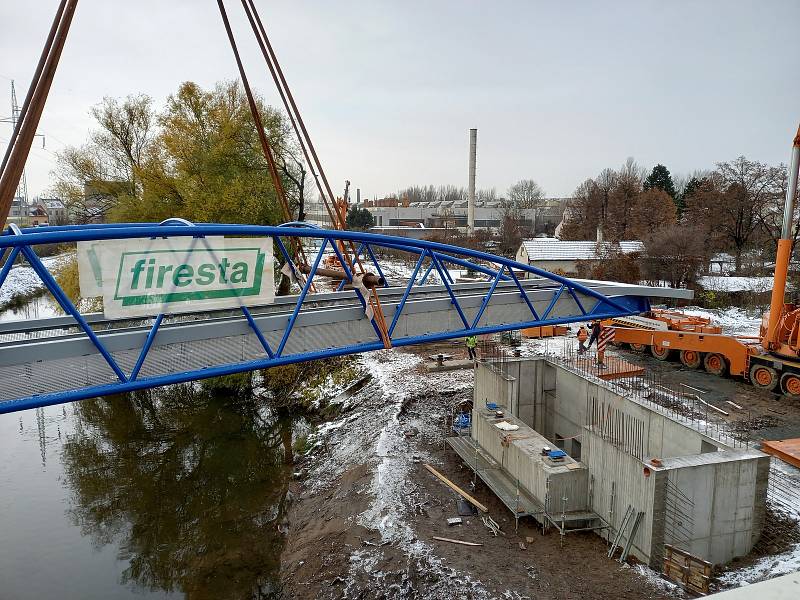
{"x": 389, "y": 89}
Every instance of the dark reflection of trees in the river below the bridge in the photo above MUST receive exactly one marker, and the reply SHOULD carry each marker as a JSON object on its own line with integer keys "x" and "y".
{"x": 189, "y": 484}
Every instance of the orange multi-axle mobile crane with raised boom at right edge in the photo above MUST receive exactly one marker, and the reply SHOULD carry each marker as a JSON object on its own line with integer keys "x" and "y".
{"x": 768, "y": 361}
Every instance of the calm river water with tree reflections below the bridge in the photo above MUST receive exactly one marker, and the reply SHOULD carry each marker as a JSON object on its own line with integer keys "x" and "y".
{"x": 173, "y": 493}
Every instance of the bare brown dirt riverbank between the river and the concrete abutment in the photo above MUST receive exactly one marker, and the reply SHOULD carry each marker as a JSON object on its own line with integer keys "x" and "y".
{"x": 327, "y": 546}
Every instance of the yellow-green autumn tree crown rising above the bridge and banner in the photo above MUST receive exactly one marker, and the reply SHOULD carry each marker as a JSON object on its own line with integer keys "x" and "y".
{"x": 198, "y": 158}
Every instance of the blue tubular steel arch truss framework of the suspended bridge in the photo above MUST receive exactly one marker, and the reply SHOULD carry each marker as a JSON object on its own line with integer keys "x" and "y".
{"x": 431, "y": 258}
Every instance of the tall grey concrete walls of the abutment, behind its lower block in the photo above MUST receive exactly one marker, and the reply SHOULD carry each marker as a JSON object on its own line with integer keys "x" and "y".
{"x": 720, "y": 491}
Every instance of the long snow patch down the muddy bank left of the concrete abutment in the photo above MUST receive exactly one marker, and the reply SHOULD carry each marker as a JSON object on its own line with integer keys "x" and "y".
{"x": 375, "y": 434}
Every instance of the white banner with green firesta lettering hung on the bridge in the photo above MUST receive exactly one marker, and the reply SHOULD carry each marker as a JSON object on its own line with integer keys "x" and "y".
{"x": 145, "y": 277}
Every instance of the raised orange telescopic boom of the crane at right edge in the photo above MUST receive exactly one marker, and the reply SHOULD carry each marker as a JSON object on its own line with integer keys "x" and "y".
{"x": 784, "y": 253}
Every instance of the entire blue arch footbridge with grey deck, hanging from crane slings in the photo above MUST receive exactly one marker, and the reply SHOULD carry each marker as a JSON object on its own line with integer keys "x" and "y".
{"x": 54, "y": 360}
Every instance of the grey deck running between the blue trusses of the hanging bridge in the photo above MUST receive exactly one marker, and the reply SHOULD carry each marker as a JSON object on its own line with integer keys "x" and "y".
{"x": 32, "y": 351}
